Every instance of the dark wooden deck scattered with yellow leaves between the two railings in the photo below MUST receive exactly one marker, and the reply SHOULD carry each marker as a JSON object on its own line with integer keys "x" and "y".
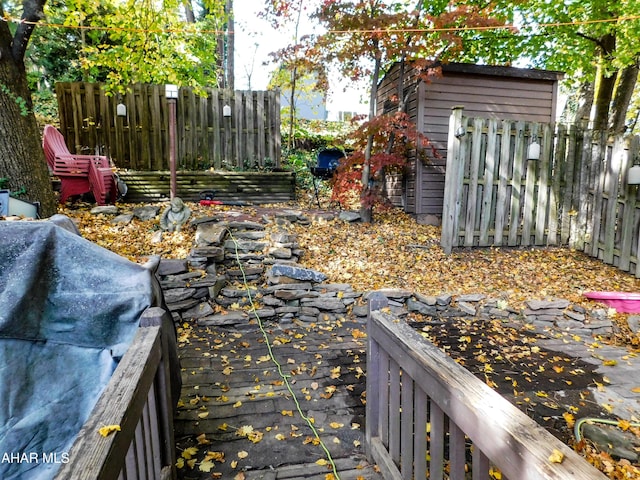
{"x": 234, "y": 397}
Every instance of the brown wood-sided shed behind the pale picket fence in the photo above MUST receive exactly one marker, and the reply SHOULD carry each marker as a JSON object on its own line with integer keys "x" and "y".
{"x": 484, "y": 91}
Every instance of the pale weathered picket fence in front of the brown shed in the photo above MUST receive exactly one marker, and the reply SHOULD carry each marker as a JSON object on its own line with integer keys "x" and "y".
{"x": 575, "y": 194}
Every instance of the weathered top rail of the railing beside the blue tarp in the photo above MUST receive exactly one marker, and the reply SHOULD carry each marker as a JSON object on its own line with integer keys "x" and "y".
{"x": 93, "y": 456}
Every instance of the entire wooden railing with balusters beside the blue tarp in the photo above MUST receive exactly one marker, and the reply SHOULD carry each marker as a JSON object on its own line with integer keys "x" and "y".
{"x": 137, "y": 399}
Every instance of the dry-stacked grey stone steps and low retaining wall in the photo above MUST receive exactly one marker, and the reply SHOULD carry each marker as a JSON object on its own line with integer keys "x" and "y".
{"x": 236, "y": 262}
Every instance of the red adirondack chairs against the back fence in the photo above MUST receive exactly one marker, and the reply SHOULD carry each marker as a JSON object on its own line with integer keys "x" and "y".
{"x": 78, "y": 174}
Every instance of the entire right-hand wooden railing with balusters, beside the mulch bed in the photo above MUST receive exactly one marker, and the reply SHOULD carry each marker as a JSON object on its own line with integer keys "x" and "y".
{"x": 428, "y": 417}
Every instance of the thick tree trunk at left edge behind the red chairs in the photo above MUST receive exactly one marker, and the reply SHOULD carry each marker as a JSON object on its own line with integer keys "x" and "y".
{"x": 22, "y": 159}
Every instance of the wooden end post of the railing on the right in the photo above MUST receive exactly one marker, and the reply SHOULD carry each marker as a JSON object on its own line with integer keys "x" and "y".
{"x": 377, "y": 301}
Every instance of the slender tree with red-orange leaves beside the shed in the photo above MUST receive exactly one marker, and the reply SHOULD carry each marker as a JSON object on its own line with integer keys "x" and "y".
{"x": 364, "y": 38}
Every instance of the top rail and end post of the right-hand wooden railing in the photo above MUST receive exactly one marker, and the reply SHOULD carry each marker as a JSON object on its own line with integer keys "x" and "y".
{"x": 511, "y": 441}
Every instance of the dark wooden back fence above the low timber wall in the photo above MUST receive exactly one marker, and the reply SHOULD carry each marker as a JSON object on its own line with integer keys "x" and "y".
{"x": 206, "y": 138}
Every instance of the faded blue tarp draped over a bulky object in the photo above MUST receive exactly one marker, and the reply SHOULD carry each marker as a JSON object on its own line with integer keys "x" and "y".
{"x": 68, "y": 311}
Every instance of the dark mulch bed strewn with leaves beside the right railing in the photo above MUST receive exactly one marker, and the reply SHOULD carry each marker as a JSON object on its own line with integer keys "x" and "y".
{"x": 542, "y": 383}
